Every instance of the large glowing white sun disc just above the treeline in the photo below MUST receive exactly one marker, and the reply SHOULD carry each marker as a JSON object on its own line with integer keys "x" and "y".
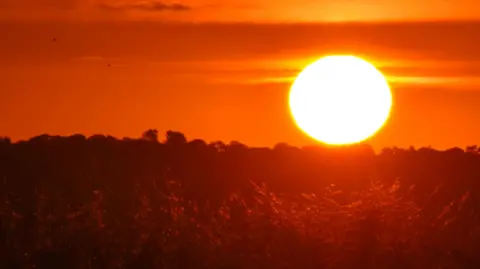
{"x": 340, "y": 100}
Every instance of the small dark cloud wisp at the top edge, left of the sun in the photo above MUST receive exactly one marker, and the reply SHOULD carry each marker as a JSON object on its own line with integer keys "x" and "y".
{"x": 147, "y": 5}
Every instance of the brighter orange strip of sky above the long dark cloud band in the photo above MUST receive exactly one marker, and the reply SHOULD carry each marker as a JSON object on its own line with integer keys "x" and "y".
{"x": 240, "y": 10}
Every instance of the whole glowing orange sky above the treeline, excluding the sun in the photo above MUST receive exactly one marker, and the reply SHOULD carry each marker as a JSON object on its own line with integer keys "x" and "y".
{"x": 218, "y": 71}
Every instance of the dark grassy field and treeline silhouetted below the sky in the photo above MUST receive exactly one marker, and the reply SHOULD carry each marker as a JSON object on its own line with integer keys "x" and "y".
{"x": 100, "y": 202}
